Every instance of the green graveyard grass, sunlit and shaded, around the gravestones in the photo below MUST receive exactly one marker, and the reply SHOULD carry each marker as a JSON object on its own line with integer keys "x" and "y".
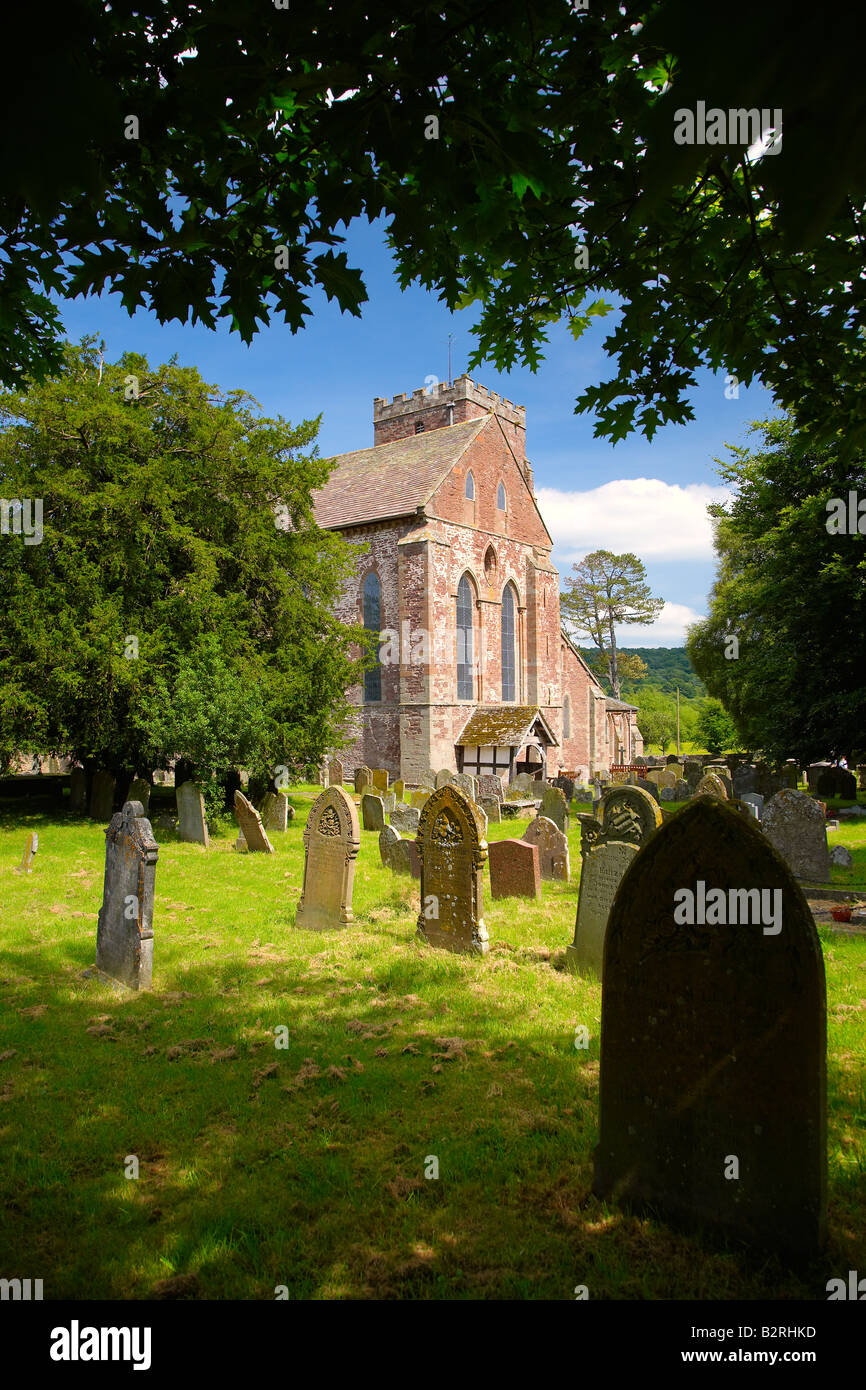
{"x": 307, "y": 1167}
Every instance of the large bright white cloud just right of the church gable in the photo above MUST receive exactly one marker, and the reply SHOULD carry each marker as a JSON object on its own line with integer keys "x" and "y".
{"x": 654, "y": 519}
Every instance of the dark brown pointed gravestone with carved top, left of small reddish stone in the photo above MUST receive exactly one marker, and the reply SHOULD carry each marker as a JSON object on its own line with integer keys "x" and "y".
{"x": 454, "y": 851}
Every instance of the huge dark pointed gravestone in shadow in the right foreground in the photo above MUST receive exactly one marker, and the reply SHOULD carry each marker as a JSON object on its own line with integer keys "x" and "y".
{"x": 712, "y": 1104}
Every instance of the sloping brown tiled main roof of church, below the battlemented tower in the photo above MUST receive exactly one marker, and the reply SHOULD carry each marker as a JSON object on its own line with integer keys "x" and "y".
{"x": 393, "y": 480}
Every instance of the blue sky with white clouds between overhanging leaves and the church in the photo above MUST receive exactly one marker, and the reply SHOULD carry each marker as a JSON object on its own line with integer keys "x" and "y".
{"x": 590, "y": 491}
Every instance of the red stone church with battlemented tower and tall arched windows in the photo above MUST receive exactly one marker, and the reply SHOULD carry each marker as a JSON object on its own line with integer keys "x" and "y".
{"x": 475, "y": 672}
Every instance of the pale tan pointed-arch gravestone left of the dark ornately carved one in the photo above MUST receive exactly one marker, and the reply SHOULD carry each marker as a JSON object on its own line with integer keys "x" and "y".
{"x": 332, "y": 840}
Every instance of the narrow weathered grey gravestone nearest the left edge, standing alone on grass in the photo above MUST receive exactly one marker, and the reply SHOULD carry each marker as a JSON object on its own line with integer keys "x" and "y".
{"x": 124, "y": 932}
